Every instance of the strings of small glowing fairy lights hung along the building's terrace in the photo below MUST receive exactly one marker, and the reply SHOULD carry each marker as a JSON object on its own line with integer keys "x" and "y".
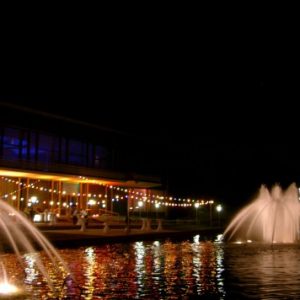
{"x": 120, "y": 193}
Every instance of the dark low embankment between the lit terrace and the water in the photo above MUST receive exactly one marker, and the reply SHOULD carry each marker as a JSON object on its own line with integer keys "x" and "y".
{"x": 70, "y": 236}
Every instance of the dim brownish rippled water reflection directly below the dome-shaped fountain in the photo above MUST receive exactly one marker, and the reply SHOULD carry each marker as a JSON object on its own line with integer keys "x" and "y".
{"x": 267, "y": 272}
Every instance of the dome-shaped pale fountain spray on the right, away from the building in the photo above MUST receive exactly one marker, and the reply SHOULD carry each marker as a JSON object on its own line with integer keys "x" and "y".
{"x": 273, "y": 217}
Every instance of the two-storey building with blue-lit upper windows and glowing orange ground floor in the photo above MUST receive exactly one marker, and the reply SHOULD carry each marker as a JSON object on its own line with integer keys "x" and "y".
{"x": 55, "y": 164}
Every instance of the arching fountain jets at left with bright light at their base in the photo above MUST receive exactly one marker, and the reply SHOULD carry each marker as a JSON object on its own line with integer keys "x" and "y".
{"x": 18, "y": 235}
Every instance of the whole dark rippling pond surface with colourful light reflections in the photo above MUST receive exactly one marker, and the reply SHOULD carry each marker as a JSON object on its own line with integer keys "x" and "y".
{"x": 169, "y": 269}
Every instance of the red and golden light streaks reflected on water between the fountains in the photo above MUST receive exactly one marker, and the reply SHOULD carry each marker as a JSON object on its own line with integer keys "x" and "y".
{"x": 140, "y": 270}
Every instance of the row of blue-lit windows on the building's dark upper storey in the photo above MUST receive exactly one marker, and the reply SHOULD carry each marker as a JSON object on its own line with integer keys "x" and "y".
{"x": 35, "y": 146}
